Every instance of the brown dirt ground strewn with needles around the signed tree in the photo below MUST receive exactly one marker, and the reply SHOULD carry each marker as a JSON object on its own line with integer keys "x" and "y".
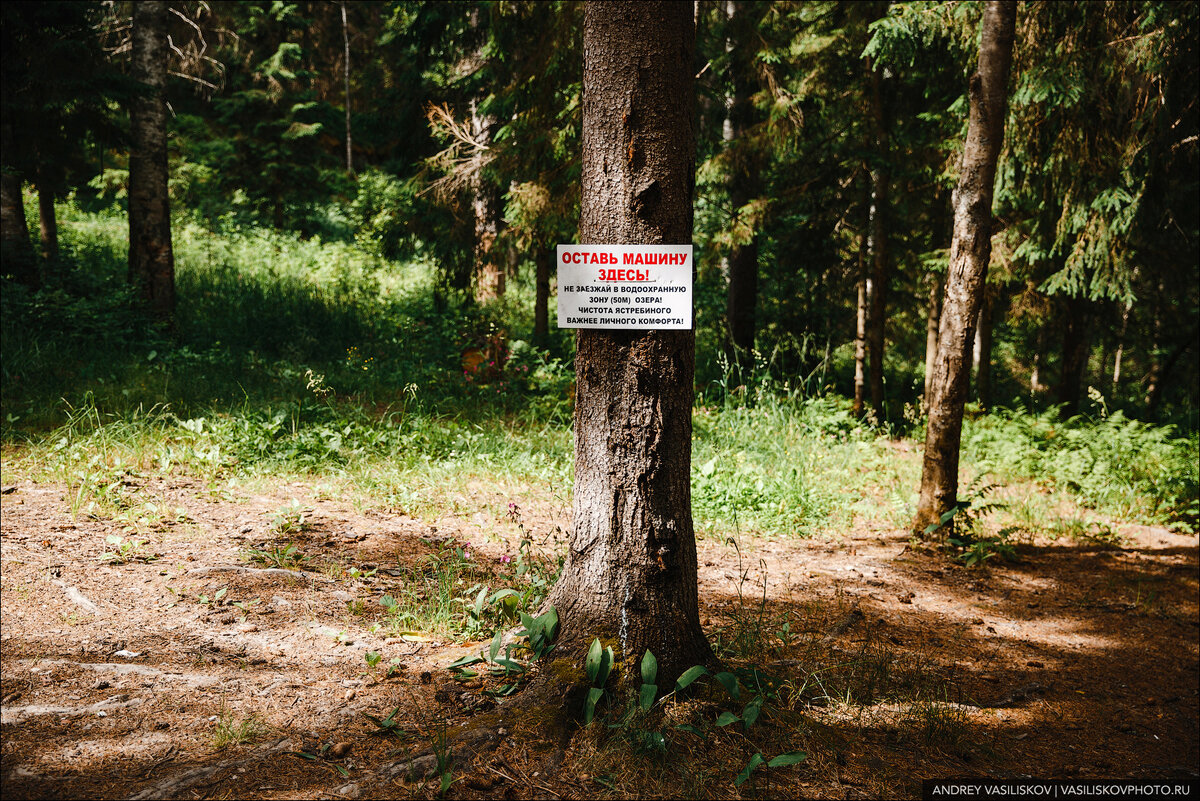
{"x": 118, "y": 679}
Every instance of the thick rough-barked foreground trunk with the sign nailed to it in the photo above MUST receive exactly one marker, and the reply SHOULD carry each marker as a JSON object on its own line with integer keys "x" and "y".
{"x": 631, "y": 574}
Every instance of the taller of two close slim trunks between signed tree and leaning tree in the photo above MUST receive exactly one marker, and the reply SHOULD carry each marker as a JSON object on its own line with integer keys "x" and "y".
{"x": 881, "y": 273}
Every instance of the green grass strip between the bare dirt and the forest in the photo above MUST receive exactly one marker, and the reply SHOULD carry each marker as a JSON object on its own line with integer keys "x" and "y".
{"x": 302, "y": 359}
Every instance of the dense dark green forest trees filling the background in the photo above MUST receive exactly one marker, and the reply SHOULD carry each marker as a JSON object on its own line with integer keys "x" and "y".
{"x": 829, "y": 138}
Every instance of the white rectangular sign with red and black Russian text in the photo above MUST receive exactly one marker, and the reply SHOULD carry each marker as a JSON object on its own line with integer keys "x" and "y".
{"x": 625, "y": 286}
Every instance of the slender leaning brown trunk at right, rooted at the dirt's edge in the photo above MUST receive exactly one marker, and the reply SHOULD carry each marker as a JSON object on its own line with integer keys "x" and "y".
{"x": 970, "y": 255}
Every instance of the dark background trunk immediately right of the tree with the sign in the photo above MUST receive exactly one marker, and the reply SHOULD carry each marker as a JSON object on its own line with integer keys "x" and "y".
{"x": 743, "y": 293}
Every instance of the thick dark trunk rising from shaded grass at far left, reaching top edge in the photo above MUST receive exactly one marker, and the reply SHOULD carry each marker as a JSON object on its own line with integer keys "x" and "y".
{"x": 152, "y": 261}
